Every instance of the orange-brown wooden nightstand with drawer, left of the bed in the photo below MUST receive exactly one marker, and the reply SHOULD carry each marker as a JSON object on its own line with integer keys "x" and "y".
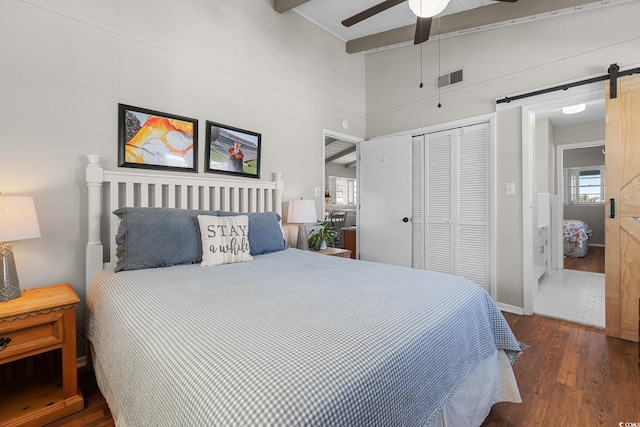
{"x": 41, "y": 320}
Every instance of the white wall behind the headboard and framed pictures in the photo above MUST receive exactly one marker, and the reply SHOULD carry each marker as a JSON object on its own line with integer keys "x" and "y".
{"x": 66, "y": 64}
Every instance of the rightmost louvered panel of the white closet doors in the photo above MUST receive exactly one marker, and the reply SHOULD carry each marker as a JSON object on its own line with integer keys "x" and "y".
{"x": 472, "y": 244}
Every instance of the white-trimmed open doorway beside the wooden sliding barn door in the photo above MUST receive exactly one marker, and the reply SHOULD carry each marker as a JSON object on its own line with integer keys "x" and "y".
{"x": 535, "y": 296}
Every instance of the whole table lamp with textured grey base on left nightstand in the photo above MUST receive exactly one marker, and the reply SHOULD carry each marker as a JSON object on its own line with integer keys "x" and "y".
{"x": 18, "y": 221}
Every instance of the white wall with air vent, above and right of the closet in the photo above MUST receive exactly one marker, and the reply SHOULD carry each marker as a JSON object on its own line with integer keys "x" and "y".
{"x": 497, "y": 63}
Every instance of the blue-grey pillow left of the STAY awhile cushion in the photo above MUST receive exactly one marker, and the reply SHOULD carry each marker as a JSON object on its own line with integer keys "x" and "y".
{"x": 158, "y": 237}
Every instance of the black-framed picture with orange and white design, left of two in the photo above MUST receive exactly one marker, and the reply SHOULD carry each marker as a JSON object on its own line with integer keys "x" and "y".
{"x": 154, "y": 140}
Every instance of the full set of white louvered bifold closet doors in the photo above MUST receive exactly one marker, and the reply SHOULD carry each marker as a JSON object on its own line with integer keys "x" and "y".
{"x": 453, "y": 204}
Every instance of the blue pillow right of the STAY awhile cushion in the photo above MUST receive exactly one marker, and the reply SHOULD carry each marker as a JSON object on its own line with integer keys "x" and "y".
{"x": 265, "y": 233}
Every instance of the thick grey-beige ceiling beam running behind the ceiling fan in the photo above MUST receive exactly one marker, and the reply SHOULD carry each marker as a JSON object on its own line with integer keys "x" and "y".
{"x": 474, "y": 18}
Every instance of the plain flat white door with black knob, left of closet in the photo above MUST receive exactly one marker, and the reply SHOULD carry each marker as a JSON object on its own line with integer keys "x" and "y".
{"x": 384, "y": 227}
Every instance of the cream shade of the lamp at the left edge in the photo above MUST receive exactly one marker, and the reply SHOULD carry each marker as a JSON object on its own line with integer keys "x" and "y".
{"x": 18, "y": 220}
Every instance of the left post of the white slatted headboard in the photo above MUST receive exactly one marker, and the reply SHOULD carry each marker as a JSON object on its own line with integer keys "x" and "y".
{"x": 94, "y": 251}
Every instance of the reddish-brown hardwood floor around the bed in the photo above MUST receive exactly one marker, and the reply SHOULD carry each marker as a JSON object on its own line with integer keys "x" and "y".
{"x": 571, "y": 375}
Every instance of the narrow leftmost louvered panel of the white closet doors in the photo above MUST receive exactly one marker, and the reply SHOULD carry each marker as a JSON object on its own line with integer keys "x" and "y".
{"x": 417, "y": 202}
